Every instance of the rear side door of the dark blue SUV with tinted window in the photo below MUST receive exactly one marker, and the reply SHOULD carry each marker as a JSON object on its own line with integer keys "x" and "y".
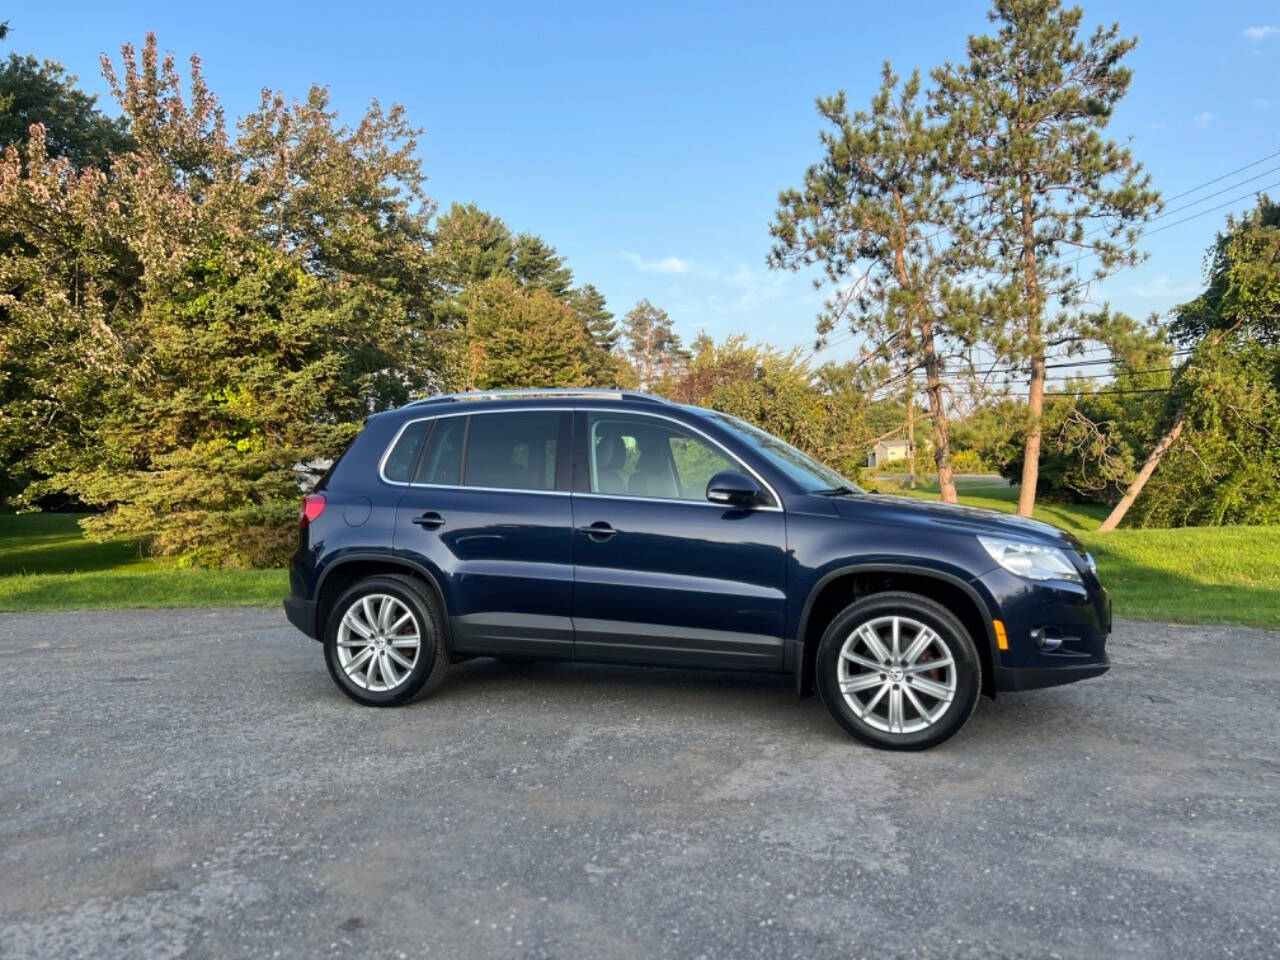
{"x": 490, "y": 510}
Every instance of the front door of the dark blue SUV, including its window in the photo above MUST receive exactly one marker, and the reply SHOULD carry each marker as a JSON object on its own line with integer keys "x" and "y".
{"x": 662, "y": 575}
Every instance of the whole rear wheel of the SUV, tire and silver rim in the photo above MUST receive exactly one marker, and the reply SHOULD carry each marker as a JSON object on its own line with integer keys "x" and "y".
{"x": 385, "y": 642}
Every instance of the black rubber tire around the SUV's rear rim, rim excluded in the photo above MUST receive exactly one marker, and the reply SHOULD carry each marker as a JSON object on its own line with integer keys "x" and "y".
{"x": 432, "y": 665}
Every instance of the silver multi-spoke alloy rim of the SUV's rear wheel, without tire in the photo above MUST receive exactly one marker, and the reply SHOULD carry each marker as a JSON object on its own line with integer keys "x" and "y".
{"x": 378, "y": 643}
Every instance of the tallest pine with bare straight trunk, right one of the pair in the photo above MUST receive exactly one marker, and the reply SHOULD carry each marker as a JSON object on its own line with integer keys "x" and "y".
{"x": 1025, "y": 118}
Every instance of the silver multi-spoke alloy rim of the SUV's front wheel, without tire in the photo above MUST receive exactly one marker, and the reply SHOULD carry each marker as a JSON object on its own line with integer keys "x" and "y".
{"x": 897, "y": 675}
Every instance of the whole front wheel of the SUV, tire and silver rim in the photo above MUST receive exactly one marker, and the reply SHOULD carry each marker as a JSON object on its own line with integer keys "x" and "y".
{"x": 899, "y": 671}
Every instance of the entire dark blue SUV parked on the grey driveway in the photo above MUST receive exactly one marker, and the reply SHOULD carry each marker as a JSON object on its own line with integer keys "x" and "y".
{"x": 612, "y": 527}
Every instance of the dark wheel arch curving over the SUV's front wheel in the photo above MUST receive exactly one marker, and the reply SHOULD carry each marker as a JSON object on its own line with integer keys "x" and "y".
{"x": 842, "y": 587}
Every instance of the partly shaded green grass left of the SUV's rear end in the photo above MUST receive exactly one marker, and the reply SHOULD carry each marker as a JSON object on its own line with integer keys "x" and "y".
{"x": 48, "y": 565}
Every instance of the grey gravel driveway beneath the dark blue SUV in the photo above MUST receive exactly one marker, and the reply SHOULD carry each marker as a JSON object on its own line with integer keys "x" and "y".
{"x": 191, "y": 784}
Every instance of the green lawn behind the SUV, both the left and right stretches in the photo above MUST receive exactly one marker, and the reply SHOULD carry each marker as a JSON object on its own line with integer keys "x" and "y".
{"x": 1192, "y": 575}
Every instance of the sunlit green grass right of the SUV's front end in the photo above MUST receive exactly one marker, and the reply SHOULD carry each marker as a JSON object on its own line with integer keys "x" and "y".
{"x": 1190, "y": 575}
